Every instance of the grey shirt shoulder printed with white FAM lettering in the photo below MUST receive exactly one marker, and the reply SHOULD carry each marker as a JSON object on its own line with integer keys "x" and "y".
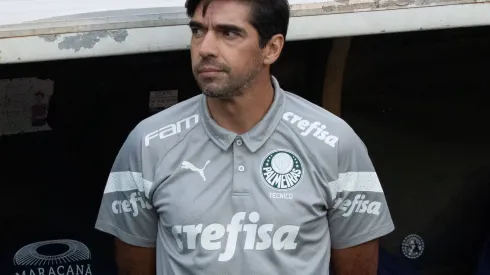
{"x": 170, "y": 125}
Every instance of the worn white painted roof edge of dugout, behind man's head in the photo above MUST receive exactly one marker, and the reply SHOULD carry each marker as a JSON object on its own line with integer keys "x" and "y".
{"x": 141, "y": 40}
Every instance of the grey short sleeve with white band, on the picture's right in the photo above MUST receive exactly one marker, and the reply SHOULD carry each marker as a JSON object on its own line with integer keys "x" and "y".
{"x": 359, "y": 212}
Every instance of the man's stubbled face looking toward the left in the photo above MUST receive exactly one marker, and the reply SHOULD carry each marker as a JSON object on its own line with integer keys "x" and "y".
{"x": 225, "y": 52}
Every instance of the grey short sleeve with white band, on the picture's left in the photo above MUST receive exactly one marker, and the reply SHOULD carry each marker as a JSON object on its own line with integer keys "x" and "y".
{"x": 126, "y": 210}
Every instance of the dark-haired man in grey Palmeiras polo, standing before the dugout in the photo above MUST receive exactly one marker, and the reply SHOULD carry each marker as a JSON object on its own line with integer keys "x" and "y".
{"x": 245, "y": 178}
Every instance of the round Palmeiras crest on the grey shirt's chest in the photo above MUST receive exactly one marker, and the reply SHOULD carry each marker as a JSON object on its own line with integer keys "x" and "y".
{"x": 282, "y": 170}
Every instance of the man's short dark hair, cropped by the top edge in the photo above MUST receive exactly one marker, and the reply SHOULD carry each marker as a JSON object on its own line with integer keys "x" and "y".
{"x": 269, "y": 17}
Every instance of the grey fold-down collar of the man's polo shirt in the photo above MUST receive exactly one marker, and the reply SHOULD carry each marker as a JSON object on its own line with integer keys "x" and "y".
{"x": 254, "y": 138}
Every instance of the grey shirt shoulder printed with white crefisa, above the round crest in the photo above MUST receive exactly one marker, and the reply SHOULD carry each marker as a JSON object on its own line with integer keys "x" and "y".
{"x": 315, "y": 125}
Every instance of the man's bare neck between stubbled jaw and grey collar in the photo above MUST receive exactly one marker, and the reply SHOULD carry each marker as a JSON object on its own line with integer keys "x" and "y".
{"x": 242, "y": 113}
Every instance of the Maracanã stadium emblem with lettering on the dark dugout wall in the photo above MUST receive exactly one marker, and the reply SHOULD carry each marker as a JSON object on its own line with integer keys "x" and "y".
{"x": 56, "y": 257}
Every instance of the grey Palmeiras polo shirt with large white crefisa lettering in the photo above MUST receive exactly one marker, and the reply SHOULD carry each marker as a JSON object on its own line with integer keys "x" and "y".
{"x": 274, "y": 200}
